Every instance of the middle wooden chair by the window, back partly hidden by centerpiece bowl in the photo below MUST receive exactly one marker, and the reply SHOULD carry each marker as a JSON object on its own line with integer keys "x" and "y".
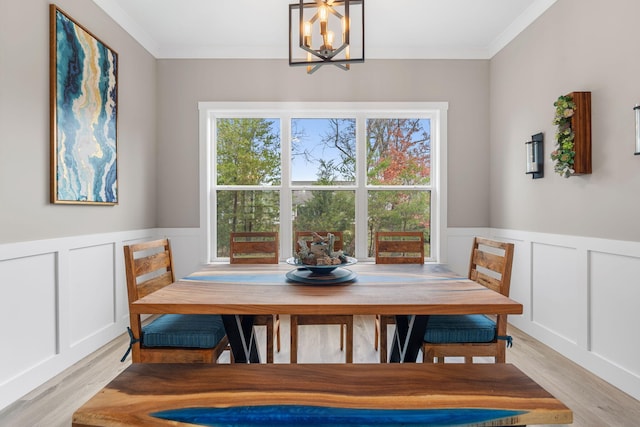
{"x": 345, "y": 321}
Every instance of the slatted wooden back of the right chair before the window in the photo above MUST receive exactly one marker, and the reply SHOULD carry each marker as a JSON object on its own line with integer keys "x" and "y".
{"x": 399, "y": 247}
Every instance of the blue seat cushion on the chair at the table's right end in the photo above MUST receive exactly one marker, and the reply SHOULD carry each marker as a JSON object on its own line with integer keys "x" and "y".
{"x": 442, "y": 329}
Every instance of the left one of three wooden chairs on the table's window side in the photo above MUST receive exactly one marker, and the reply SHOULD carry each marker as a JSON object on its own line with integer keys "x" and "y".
{"x": 259, "y": 248}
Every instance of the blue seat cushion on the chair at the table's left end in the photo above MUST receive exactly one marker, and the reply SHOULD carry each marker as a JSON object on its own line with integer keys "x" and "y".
{"x": 184, "y": 330}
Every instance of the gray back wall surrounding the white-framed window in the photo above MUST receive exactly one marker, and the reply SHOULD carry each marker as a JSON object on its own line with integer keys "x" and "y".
{"x": 184, "y": 83}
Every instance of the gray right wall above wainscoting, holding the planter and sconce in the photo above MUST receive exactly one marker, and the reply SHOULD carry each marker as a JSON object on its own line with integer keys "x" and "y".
{"x": 577, "y": 45}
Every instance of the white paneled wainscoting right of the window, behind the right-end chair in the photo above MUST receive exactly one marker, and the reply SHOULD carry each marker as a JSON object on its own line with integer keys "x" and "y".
{"x": 581, "y": 297}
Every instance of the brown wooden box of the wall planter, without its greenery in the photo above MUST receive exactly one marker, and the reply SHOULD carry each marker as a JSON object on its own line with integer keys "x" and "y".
{"x": 581, "y": 125}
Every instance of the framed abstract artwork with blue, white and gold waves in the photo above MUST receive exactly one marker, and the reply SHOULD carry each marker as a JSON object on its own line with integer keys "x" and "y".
{"x": 84, "y": 113}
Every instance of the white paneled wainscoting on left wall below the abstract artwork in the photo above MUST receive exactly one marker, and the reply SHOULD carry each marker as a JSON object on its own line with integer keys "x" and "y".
{"x": 60, "y": 300}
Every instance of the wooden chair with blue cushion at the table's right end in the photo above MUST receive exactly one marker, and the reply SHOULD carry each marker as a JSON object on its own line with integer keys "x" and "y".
{"x": 475, "y": 335}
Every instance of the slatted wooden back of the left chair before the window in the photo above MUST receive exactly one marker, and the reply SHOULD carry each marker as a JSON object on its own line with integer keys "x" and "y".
{"x": 254, "y": 248}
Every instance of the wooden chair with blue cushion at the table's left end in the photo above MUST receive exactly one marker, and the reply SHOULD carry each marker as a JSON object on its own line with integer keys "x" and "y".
{"x": 170, "y": 338}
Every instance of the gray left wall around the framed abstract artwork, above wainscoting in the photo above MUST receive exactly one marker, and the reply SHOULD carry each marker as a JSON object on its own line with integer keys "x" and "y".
{"x": 25, "y": 211}
